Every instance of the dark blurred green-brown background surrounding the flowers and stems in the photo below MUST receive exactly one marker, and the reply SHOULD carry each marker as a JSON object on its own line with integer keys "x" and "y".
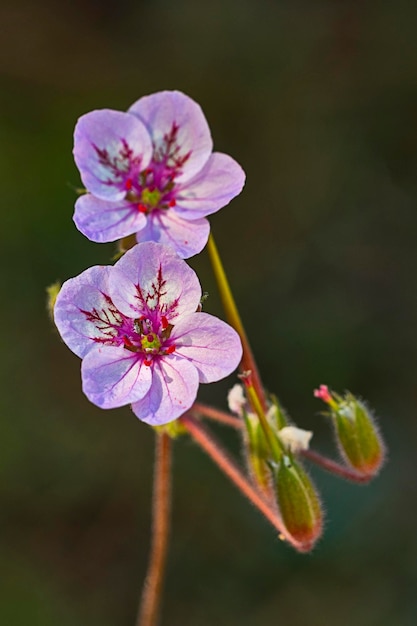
{"x": 318, "y": 102}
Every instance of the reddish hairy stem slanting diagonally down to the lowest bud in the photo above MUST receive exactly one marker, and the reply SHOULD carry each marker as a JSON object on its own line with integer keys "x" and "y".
{"x": 214, "y": 449}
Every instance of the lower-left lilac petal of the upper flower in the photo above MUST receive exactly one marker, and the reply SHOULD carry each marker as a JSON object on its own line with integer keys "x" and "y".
{"x": 103, "y": 221}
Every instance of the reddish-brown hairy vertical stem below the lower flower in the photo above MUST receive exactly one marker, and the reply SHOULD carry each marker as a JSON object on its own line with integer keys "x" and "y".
{"x": 161, "y": 509}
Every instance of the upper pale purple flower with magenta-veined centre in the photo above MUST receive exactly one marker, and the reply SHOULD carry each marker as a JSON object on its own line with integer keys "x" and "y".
{"x": 151, "y": 171}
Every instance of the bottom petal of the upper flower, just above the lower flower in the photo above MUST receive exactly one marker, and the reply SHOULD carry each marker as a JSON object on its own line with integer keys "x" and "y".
{"x": 187, "y": 237}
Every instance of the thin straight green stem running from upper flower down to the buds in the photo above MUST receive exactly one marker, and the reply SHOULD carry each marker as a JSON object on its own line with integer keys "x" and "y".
{"x": 248, "y": 362}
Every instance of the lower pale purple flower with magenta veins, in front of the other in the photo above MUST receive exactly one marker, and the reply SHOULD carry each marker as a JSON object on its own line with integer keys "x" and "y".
{"x": 142, "y": 341}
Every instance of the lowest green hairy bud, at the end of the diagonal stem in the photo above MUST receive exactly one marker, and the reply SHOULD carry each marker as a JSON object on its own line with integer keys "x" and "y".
{"x": 298, "y": 502}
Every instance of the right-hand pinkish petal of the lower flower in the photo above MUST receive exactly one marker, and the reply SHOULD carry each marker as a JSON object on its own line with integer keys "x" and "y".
{"x": 209, "y": 343}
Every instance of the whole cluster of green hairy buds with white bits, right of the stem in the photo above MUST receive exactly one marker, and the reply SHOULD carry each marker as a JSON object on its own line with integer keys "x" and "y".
{"x": 275, "y": 447}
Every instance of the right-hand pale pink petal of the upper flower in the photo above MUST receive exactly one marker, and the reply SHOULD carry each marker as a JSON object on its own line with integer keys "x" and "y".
{"x": 220, "y": 180}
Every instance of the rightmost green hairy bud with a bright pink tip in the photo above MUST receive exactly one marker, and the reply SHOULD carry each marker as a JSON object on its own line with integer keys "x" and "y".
{"x": 357, "y": 435}
